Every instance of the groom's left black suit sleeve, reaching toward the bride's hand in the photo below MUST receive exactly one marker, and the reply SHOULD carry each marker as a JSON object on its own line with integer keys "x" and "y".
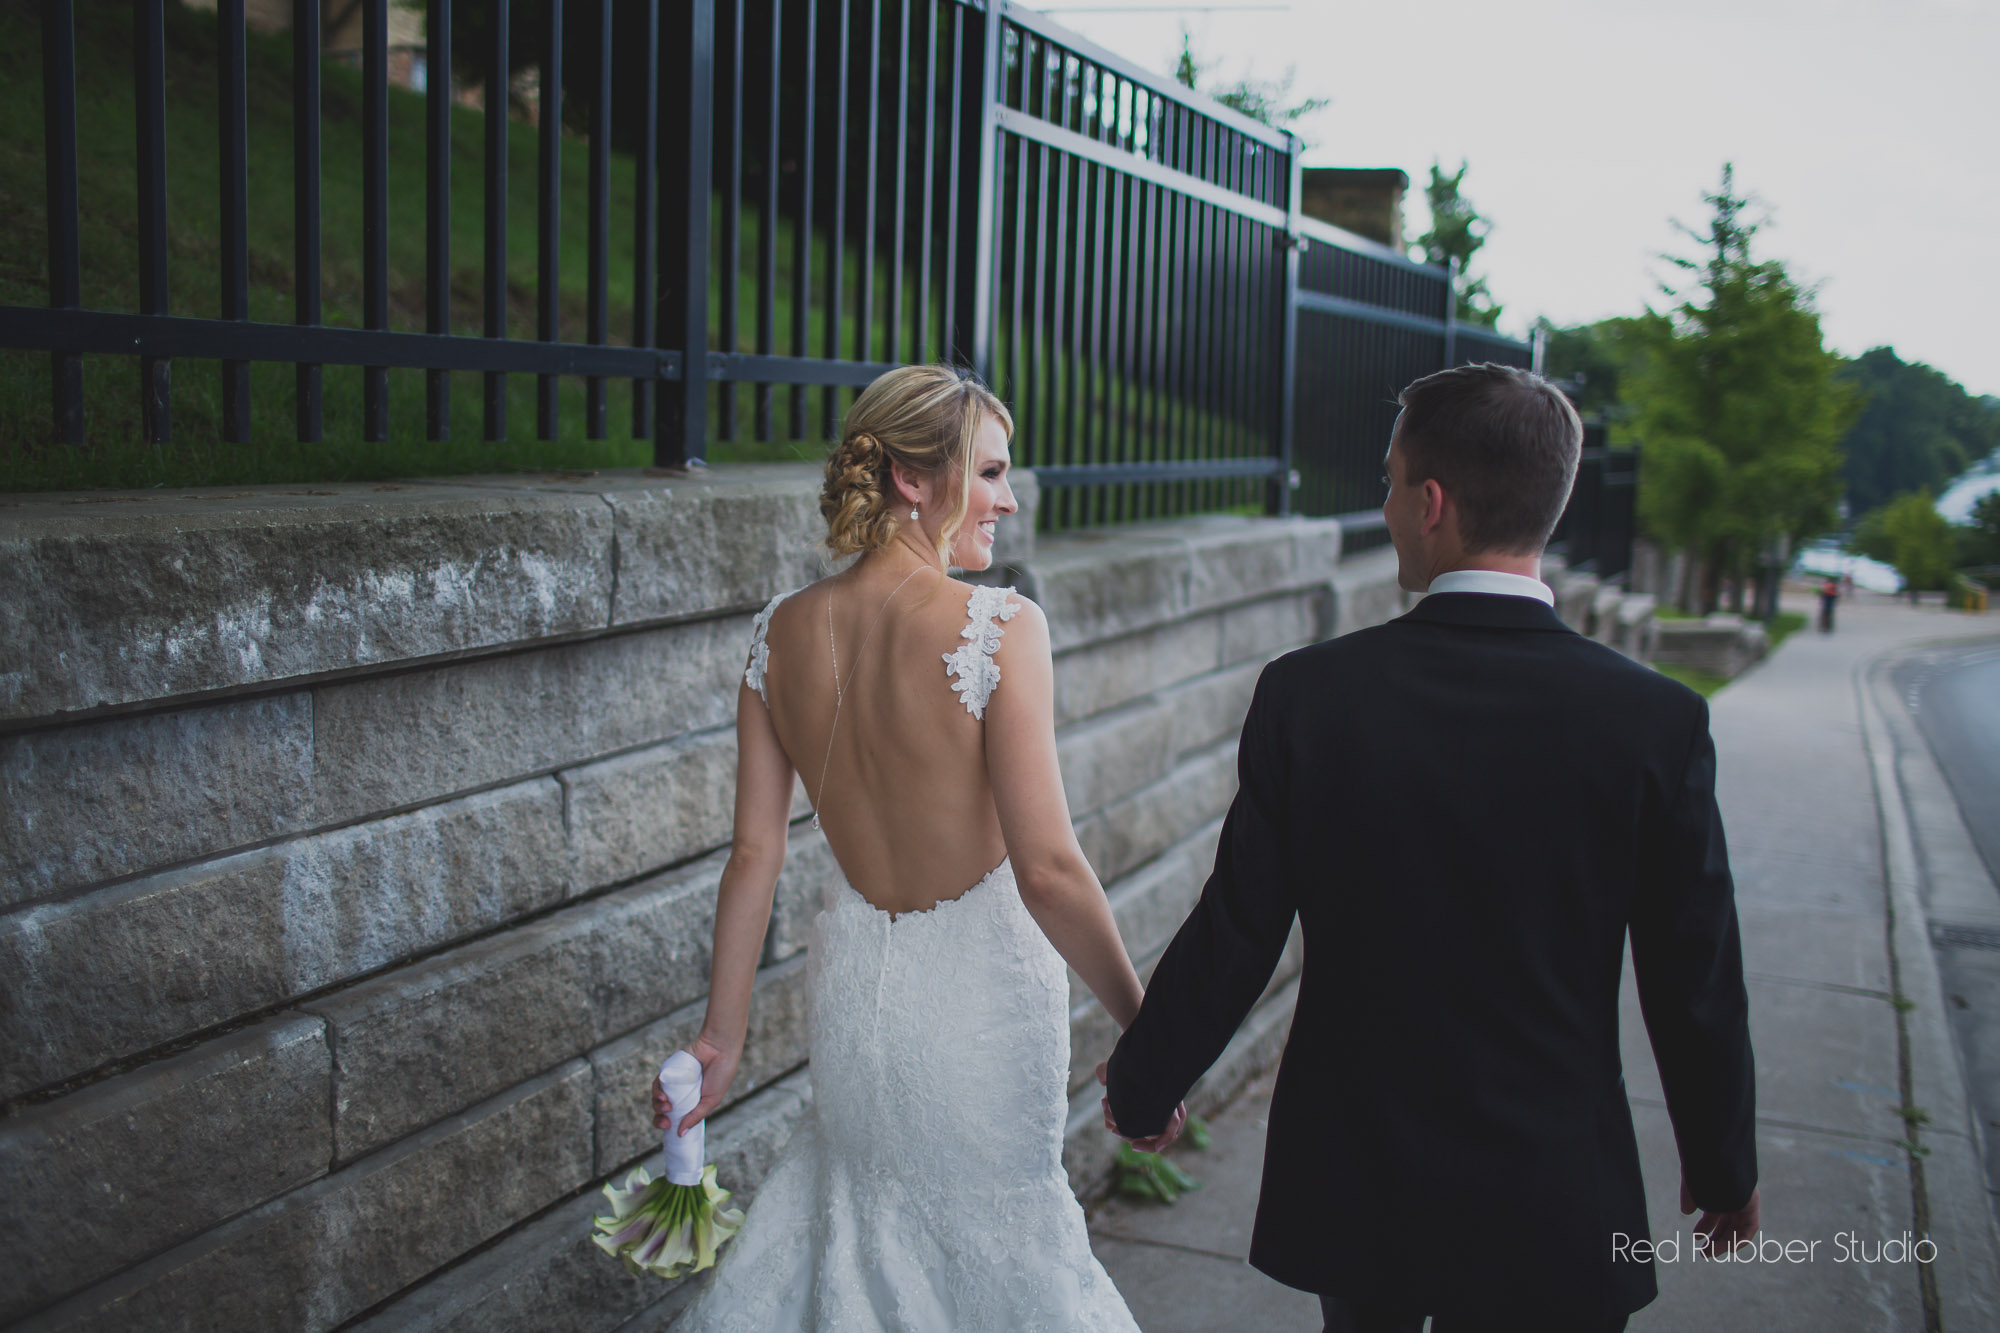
{"x": 1225, "y": 952}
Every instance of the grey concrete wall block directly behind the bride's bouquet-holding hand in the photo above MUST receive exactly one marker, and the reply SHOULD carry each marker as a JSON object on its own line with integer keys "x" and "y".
{"x": 775, "y": 1046}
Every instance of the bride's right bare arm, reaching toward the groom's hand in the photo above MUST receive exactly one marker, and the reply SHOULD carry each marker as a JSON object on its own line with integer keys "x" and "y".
{"x": 1057, "y": 884}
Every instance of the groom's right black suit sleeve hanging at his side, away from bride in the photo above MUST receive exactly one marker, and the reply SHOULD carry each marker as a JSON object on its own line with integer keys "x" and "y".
{"x": 1691, "y": 984}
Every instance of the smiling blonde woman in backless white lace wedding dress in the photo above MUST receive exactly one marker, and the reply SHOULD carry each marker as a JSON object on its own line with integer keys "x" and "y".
{"x": 925, "y": 1188}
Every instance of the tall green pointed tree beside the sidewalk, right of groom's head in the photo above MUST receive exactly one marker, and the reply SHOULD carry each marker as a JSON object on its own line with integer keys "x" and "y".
{"x": 1741, "y": 409}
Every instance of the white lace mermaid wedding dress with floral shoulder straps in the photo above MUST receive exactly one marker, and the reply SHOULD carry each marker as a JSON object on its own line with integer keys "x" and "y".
{"x": 925, "y": 1192}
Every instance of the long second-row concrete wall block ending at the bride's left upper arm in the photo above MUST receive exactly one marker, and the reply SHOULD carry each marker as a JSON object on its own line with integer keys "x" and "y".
{"x": 421, "y": 736}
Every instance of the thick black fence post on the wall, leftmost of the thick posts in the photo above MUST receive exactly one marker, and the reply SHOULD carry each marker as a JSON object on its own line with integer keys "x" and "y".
{"x": 687, "y": 121}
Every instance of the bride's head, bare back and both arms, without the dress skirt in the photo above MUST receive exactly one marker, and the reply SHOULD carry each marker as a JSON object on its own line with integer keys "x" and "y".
{"x": 923, "y": 796}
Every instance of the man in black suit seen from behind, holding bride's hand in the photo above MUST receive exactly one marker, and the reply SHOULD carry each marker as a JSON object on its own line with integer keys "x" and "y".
{"x": 1469, "y": 810}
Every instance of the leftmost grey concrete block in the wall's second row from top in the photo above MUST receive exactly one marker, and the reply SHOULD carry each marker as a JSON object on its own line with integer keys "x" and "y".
{"x": 131, "y": 794}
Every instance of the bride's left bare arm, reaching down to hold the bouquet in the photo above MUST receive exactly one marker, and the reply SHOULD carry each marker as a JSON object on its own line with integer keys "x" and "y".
{"x": 743, "y": 904}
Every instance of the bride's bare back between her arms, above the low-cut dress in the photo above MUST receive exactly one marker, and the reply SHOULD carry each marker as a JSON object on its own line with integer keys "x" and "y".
{"x": 907, "y": 800}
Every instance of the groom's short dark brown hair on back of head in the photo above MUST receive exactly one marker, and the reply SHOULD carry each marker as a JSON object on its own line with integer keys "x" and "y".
{"x": 1503, "y": 443}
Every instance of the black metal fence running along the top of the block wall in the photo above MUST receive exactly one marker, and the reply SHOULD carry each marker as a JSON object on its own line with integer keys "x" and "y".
{"x": 823, "y": 189}
